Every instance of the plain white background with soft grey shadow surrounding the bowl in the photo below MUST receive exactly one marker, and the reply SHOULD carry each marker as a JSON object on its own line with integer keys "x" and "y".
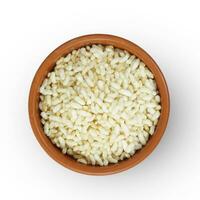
{"x": 168, "y": 30}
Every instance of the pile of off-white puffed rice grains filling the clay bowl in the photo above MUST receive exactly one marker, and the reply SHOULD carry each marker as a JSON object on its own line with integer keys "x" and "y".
{"x": 100, "y": 104}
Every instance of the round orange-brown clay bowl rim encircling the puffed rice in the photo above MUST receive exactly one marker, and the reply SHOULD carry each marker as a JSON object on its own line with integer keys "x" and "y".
{"x": 49, "y": 64}
